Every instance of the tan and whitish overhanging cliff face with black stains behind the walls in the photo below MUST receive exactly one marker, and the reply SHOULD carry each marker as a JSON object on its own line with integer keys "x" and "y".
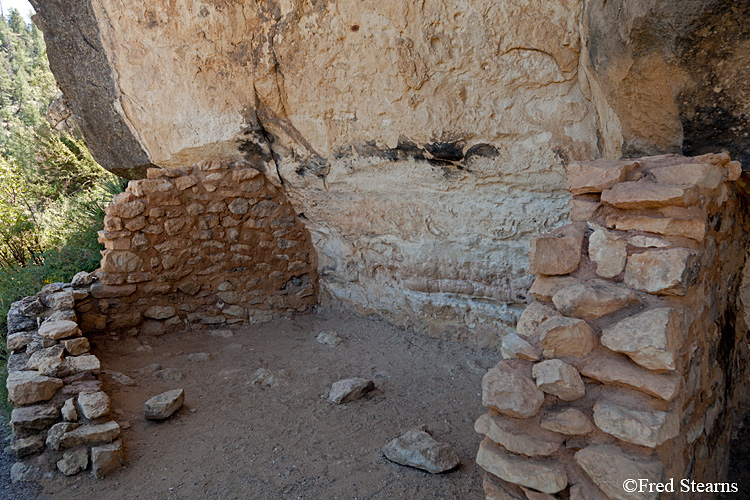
{"x": 422, "y": 143}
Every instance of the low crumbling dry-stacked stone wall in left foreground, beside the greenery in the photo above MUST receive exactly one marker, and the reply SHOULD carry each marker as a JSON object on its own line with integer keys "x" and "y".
{"x": 61, "y": 417}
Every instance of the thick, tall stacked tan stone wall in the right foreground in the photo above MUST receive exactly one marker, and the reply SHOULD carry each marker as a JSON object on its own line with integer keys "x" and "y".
{"x": 631, "y": 362}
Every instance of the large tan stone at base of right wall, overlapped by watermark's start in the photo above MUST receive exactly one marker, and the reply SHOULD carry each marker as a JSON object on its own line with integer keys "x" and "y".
{"x": 608, "y": 467}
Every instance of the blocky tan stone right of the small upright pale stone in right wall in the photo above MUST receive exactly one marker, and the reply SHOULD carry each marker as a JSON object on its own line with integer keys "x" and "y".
{"x": 665, "y": 272}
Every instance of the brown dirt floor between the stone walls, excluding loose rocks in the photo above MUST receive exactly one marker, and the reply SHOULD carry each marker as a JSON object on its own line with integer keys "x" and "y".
{"x": 248, "y": 437}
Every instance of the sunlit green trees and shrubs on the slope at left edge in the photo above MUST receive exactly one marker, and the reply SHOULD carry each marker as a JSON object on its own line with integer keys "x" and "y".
{"x": 52, "y": 191}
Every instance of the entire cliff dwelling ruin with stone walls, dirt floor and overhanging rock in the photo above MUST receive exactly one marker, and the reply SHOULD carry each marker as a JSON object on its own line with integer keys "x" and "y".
{"x": 538, "y": 207}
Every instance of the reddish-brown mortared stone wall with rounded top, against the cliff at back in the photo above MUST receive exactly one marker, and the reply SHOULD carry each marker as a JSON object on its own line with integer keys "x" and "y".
{"x": 213, "y": 245}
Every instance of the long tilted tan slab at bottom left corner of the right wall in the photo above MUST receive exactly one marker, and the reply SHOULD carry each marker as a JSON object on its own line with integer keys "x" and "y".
{"x": 545, "y": 475}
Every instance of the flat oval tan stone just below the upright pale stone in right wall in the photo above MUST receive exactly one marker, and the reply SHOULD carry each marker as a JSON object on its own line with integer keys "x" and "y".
{"x": 593, "y": 299}
